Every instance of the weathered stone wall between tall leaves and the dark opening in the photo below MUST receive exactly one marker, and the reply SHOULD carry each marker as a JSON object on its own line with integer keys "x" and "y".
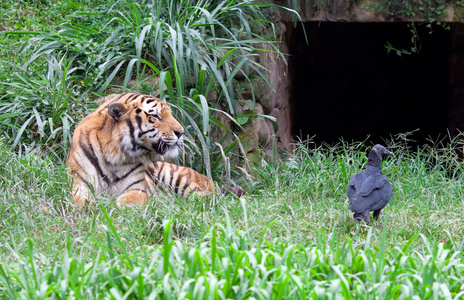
{"x": 260, "y": 134}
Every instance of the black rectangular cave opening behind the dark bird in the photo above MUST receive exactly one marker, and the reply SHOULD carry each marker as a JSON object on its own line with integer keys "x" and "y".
{"x": 346, "y": 86}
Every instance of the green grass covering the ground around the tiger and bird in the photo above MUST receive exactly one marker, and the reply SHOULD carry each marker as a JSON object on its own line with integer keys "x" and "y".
{"x": 292, "y": 236}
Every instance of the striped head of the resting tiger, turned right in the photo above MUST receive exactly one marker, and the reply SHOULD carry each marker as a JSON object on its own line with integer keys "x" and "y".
{"x": 147, "y": 125}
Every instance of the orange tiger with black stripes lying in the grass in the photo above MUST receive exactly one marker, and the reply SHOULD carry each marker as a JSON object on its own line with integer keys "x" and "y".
{"x": 120, "y": 149}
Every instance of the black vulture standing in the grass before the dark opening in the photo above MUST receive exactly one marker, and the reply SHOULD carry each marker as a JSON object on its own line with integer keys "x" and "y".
{"x": 370, "y": 190}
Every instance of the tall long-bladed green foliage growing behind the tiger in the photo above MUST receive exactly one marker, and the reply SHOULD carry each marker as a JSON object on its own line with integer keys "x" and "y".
{"x": 194, "y": 49}
